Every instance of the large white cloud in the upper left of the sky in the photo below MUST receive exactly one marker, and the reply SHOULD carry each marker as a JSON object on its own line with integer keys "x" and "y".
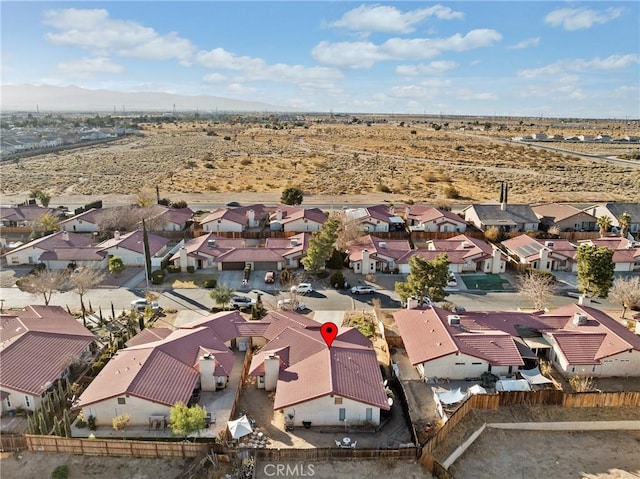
{"x": 94, "y": 31}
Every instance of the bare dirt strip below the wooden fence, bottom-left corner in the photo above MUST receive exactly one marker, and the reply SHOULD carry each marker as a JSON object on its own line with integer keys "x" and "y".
{"x": 29, "y": 465}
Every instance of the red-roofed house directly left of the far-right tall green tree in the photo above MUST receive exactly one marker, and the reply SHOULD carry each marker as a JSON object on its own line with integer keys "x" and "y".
{"x": 542, "y": 255}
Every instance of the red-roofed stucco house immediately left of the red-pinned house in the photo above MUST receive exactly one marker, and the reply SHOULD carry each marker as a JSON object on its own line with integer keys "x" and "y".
{"x": 162, "y": 367}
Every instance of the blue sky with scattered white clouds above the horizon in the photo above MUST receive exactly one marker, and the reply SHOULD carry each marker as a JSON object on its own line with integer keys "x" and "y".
{"x": 518, "y": 58}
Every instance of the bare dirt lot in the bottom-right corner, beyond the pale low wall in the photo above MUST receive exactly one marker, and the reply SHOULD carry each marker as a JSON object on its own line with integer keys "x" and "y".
{"x": 535, "y": 454}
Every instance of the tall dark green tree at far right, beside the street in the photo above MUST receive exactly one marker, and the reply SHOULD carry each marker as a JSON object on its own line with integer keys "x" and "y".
{"x": 595, "y": 270}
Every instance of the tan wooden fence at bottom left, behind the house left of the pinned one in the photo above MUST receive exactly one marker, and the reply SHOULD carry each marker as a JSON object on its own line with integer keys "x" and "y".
{"x": 113, "y": 447}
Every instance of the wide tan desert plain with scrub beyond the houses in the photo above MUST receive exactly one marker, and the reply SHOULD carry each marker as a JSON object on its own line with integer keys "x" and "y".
{"x": 419, "y": 160}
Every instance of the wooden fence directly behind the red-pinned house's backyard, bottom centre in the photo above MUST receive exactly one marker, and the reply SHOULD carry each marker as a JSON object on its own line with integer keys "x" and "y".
{"x": 327, "y": 453}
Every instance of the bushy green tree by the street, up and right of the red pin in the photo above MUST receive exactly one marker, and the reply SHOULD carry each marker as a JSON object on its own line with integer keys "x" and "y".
{"x": 426, "y": 277}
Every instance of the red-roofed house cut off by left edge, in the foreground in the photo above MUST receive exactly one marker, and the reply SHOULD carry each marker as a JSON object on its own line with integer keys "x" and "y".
{"x": 38, "y": 345}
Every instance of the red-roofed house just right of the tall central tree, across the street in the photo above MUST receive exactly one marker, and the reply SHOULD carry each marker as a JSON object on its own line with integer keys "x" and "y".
{"x": 371, "y": 254}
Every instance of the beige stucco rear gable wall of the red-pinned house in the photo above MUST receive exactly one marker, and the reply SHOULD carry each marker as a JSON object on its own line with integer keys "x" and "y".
{"x": 324, "y": 412}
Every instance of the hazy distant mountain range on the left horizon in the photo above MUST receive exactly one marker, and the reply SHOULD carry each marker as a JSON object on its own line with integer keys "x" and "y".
{"x": 53, "y": 98}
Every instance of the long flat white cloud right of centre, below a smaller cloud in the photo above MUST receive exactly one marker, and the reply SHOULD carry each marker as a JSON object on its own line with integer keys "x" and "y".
{"x": 361, "y": 55}
